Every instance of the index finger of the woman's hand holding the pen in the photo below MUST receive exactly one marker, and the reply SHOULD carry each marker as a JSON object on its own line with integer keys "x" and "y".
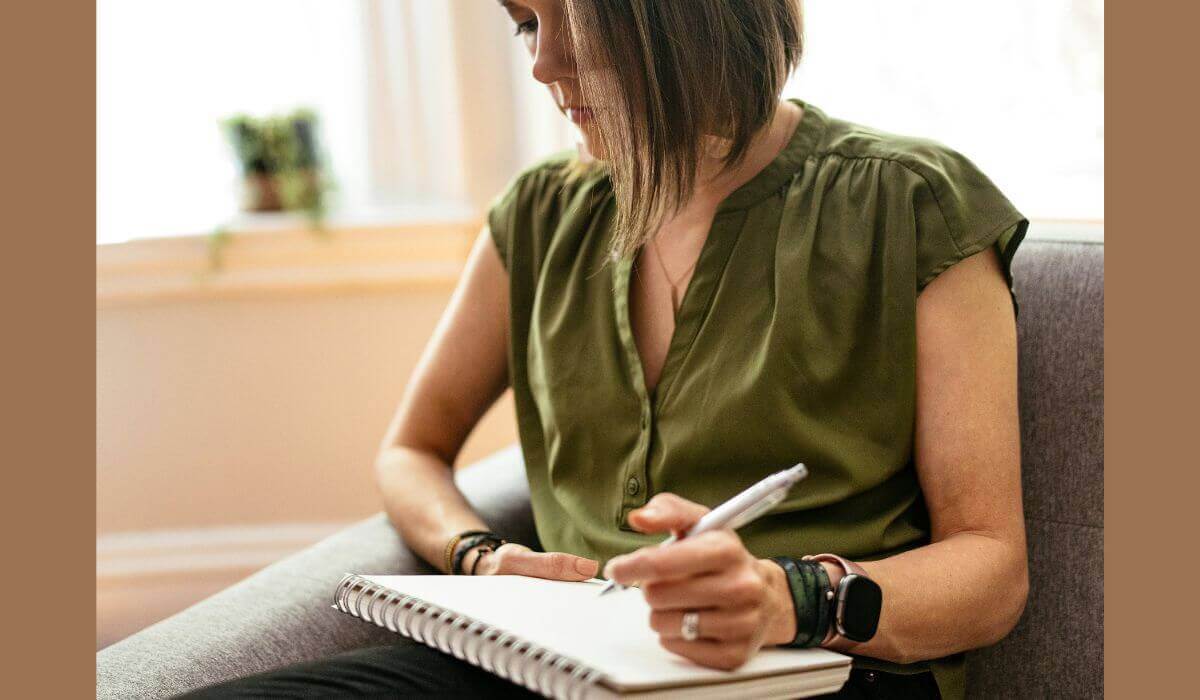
{"x": 711, "y": 552}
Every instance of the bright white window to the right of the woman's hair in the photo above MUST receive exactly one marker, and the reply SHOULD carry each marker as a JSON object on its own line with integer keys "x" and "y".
{"x": 1016, "y": 87}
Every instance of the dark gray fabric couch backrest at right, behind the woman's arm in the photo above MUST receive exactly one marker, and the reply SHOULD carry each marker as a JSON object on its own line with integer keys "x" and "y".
{"x": 1058, "y": 649}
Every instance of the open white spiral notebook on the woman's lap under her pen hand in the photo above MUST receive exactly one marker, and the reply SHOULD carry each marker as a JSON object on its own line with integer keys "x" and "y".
{"x": 562, "y": 641}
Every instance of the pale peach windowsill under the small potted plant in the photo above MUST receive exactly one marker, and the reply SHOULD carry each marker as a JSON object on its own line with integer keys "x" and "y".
{"x": 280, "y": 254}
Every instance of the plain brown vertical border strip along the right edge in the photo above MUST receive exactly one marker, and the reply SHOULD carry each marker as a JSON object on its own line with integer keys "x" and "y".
{"x": 1150, "y": 376}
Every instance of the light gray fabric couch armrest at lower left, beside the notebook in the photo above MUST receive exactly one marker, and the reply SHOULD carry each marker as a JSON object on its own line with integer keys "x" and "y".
{"x": 283, "y": 614}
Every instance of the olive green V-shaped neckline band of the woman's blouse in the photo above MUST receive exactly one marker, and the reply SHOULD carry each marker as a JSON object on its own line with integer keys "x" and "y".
{"x": 715, "y": 255}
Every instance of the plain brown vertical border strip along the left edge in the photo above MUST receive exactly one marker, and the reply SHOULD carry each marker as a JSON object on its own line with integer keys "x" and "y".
{"x": 47, "y": 56}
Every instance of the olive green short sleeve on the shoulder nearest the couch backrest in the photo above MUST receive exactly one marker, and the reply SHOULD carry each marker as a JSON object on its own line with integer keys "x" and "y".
{"x": 959, "y": 212}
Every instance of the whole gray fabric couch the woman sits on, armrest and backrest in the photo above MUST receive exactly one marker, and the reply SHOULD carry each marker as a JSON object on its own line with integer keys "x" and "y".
{"x": 283, "y": 614}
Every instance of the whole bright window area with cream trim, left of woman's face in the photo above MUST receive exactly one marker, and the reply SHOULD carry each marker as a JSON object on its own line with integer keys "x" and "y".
{"x": 427, "y": 109}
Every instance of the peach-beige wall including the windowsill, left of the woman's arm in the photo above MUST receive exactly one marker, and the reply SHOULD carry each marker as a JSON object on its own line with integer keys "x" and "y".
{"x": 238, "y": 418}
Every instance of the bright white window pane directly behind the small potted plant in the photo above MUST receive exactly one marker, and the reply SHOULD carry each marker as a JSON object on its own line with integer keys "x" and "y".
{"x": 169, "y": 71}
